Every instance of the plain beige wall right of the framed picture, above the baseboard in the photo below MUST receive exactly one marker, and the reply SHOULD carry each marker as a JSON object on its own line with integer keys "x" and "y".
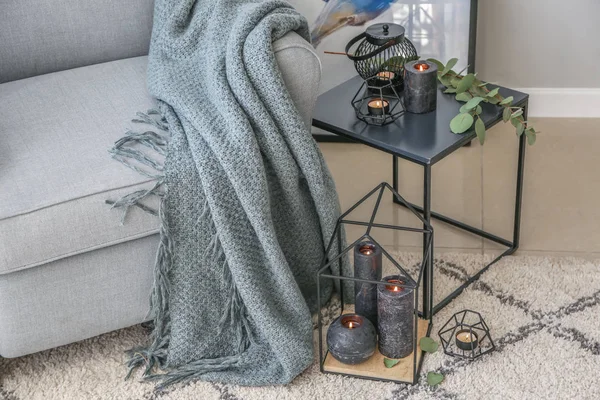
{"x": 539, "y": 43}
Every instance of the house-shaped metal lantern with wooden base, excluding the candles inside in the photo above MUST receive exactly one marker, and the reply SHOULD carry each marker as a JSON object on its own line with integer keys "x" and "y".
{"x": 408, "y": 368}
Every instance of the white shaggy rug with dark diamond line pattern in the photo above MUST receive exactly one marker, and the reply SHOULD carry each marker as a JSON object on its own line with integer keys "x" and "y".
{"x": 542, "y": 312}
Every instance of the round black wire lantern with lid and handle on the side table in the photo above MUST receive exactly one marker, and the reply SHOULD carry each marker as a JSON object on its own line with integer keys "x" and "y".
{"x": 380, "y": 55}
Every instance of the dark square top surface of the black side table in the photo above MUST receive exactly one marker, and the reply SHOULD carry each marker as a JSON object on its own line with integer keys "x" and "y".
{"x": 420, "y": 138}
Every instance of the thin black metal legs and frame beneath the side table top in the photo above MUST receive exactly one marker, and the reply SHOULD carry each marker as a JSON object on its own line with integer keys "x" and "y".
{"x": 428, "y": 214}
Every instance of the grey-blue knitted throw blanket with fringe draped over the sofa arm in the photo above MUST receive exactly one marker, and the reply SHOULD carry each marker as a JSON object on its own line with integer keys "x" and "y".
{"x": 247, "y": 200}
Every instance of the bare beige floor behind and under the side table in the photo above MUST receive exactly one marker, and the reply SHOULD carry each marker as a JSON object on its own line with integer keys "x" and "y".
{"x": 561, "y": 207}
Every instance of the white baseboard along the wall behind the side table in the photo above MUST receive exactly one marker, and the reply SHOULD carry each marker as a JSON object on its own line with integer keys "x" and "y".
{"x": 563, "y": 102}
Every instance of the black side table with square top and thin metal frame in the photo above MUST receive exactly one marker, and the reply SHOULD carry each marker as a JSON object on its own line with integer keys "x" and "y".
{"x": 423, "y": 139}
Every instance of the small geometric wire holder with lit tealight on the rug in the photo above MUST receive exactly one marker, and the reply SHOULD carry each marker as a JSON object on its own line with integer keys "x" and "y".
{"x": 466, "y": 335}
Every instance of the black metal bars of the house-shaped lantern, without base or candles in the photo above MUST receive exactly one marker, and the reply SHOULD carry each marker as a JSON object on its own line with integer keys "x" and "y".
{"x": 427, "y": 232}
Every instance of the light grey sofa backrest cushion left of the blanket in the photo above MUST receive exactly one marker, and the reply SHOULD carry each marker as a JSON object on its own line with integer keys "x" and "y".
{"x": 42, "y": 36}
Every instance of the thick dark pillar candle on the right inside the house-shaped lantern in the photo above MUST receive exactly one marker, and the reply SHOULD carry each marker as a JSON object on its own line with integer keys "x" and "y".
{"x": 396, "y": 318}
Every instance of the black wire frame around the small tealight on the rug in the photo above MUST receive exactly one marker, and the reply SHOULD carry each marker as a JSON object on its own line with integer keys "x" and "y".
{"x": 480, "y": 328}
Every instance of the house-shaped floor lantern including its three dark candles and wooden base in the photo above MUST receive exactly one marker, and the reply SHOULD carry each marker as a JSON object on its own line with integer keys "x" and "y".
{"x": 368, "y": 274}
